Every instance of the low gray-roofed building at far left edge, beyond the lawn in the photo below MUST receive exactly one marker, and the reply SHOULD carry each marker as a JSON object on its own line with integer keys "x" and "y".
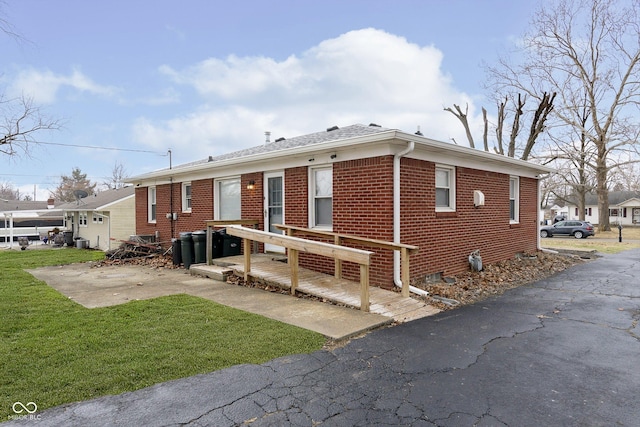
{"x": 31, "y": 219}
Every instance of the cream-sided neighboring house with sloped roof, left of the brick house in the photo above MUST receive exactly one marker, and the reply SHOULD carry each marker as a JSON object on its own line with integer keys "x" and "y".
{"x": 104, "y": 219}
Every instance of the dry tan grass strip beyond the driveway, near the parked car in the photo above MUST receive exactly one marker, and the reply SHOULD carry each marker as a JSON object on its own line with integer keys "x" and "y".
{"x": 603, "y": 241}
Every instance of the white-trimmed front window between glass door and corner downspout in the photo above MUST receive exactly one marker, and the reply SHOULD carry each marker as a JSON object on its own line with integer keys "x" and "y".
{"x": 321, "y": 197}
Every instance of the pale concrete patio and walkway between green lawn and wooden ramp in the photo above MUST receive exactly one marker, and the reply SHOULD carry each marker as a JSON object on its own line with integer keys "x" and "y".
{"x": 105, "y": 286}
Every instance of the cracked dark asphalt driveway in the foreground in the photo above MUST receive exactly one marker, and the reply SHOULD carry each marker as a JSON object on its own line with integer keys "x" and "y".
{"x": 562, "y": 352}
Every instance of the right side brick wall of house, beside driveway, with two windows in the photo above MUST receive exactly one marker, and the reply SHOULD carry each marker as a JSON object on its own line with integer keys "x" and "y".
{"x": 447, "y": 239}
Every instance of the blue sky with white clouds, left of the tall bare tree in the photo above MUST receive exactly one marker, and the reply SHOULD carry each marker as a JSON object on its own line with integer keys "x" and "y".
{"x": 207, "y": 77}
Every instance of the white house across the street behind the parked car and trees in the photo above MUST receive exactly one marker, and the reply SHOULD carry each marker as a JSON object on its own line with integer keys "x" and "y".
{"x": 624, "y": 208}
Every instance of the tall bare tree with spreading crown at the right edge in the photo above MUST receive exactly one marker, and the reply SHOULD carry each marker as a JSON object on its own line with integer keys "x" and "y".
{"x": 588, "y": 51}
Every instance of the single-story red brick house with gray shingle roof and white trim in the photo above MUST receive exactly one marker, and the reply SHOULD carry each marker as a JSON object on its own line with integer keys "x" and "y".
{"x": 361, "y": 180}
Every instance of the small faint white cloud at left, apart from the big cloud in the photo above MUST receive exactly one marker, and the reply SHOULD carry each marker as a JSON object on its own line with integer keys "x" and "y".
{"x": 43, "y": 85}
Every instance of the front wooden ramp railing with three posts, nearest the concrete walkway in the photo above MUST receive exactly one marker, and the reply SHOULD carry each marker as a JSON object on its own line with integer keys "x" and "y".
{"x": 294, "y": 245}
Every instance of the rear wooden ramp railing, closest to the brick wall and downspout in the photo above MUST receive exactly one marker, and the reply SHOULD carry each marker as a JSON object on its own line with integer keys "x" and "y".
{"x": 338, "y": 239}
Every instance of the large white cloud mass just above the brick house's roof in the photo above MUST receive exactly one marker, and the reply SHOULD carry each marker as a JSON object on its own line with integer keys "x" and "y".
{"x": 362, "y": 76}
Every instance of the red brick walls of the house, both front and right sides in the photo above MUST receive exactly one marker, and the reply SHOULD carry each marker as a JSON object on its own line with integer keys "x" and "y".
{"x": 363, "y": 206}
